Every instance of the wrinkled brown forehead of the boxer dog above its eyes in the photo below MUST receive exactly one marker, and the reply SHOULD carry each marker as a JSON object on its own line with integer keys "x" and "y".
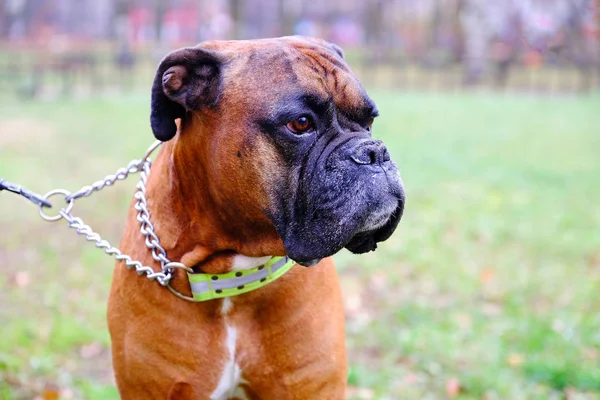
{"x": 286, "y": 68}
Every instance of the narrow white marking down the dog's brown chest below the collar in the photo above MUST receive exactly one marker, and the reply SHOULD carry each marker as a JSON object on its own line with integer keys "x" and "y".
{"x": 231, "y": 377}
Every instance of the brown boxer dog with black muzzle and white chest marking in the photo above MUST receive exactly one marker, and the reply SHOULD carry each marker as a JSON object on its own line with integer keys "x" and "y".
{"x": 268, "y": 152}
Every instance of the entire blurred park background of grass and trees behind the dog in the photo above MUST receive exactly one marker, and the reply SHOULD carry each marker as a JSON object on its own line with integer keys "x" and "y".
{"x": 488, "y": 290}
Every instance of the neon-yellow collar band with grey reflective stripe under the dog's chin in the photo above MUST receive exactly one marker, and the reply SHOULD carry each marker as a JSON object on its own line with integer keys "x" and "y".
{"x": 216, "y": 286}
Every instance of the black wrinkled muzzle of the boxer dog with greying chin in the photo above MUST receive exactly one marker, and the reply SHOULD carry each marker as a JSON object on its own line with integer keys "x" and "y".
{"x": 354, "y": 199}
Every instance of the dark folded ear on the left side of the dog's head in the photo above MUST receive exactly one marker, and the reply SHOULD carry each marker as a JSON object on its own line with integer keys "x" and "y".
{"x": 187, "y": 79}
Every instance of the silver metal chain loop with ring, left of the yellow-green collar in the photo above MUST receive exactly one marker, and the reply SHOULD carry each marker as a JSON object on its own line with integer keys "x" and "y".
{"x": 147, "y": 229}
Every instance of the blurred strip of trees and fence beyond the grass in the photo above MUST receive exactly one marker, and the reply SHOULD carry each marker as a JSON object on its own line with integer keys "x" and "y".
{"x": 524, "y": 45}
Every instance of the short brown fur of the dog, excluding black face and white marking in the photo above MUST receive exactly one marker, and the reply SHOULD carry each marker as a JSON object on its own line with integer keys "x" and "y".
{"x": 206, "y": 195}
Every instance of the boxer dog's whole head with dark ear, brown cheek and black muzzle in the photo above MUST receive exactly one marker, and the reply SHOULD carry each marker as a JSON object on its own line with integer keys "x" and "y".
{"x": 287, "y": 125}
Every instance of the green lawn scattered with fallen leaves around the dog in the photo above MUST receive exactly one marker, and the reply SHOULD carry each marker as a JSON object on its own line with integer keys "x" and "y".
{"x": 491, "y": 281}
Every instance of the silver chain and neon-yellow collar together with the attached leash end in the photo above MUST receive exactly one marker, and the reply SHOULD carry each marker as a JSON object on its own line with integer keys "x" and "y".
{"x": 201, "y": 288}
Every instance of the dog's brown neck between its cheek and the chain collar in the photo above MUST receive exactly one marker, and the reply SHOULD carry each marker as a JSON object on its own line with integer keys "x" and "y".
{"x": 191, "y": 224}
